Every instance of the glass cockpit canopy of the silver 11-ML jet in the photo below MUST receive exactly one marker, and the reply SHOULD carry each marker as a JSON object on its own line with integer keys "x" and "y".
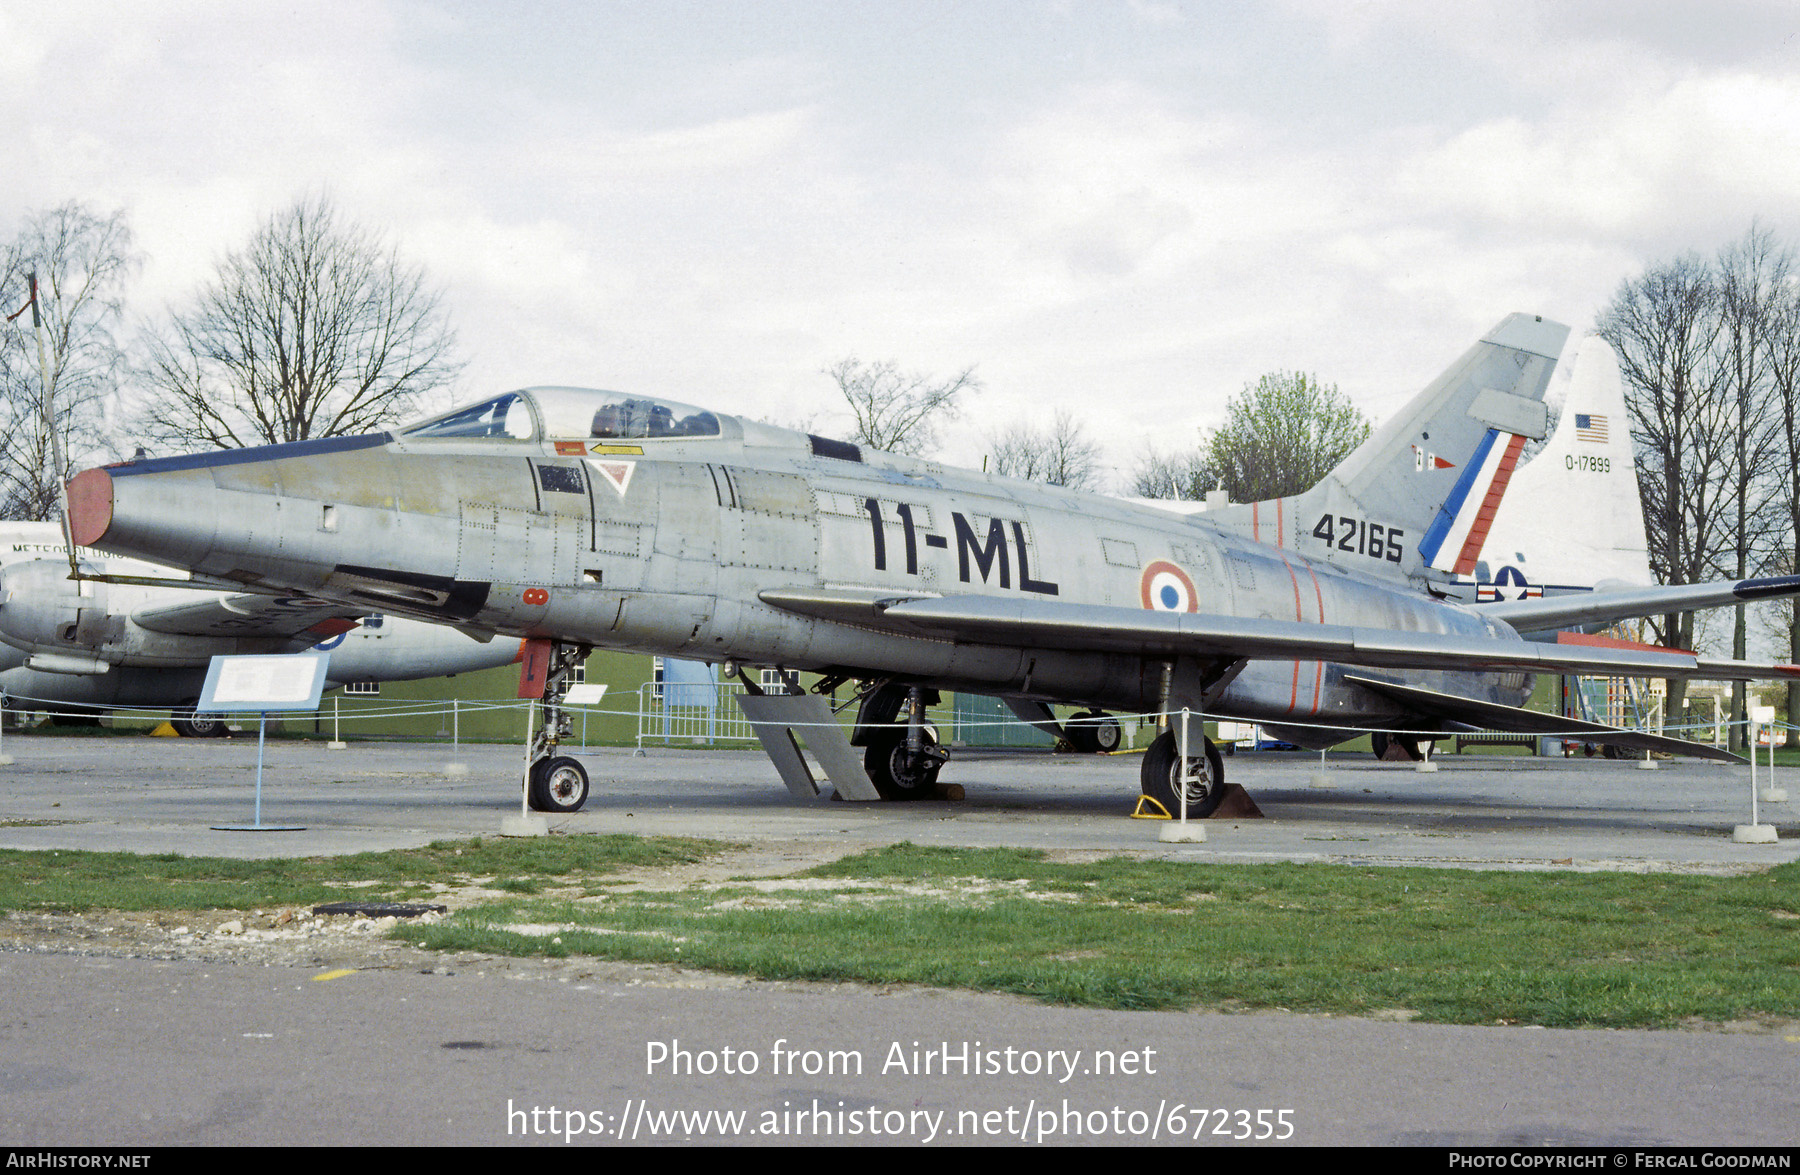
{"x": 570, "y": 413}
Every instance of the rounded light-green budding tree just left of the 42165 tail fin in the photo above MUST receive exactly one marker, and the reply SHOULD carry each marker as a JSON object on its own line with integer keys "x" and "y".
{"x": 1282, "y": 436}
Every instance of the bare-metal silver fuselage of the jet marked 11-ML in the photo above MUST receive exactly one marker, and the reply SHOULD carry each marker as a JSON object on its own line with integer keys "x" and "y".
{"x": 667, "y": 546}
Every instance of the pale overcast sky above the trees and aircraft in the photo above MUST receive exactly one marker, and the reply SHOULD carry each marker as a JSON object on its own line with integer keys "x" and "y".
{"x": 1120, "y": 210}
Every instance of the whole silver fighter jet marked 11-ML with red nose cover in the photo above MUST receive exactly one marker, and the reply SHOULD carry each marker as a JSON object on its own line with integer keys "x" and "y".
{"x": 584, "y": 519}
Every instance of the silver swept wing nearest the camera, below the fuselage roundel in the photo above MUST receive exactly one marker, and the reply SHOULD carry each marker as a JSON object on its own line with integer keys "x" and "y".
{"x": 1036, "y": 623}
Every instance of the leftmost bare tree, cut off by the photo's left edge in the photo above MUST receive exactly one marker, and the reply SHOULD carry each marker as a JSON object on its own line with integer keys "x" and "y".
{"x": 82, "y": 264}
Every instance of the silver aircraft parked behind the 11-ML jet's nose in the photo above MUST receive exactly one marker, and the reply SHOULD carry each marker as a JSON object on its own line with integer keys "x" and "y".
{"x": 118, "y": 645}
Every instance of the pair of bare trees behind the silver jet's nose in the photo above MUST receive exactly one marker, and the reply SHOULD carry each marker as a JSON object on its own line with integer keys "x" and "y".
{"x": 314, "y": 328}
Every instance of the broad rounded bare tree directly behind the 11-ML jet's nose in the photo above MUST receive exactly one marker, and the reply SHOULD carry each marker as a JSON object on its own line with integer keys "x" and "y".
{"x": 318, "y": 328}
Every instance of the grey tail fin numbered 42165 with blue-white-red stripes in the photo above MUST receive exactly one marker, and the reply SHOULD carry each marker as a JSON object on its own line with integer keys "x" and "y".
{"x": 1423, "y": 492}
